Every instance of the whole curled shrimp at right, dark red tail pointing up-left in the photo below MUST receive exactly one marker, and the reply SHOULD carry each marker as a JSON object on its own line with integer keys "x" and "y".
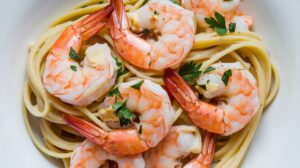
{"x": 237, "y": 102}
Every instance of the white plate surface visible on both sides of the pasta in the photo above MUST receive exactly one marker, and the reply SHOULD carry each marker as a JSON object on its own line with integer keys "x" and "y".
{"x": 276, "y": 143}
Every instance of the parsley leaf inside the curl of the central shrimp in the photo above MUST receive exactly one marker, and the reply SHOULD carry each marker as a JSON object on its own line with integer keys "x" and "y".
{"x": 123, "y": 112}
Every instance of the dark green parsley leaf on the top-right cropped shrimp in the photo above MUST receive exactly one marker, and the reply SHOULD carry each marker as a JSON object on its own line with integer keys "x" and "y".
{"x": 218, "y": 24}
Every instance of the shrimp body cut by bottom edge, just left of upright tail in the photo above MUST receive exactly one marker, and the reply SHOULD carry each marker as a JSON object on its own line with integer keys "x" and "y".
{"x": 180, "y": 142}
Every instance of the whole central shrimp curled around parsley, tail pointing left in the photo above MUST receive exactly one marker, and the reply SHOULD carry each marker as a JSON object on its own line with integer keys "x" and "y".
{"x": 152, "y": 105}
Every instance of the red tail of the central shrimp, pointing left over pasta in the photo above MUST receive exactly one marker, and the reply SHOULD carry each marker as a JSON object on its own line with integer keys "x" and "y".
{"x": 86, "y": 129}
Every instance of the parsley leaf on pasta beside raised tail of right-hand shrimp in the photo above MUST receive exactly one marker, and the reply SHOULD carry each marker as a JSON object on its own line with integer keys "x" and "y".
{"x": 190, "y": 71}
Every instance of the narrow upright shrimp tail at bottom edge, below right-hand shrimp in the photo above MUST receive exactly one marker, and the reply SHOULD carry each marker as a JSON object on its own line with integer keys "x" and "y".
{"x": 206, "y": 156}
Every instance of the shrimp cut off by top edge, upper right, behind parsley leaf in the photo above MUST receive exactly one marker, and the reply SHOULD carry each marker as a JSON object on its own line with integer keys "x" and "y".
{"x": 229, "y": 9}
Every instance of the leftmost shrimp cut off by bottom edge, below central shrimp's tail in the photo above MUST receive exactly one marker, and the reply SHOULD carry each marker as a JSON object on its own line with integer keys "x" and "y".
{"x": 91, "y": 155}
